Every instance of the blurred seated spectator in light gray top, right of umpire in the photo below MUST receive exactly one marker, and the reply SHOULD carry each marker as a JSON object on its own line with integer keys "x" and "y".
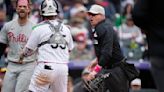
{"x": 131, "y": 39}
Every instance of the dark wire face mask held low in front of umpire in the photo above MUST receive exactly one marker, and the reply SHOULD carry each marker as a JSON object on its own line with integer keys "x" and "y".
{"x": 96, "y": 85}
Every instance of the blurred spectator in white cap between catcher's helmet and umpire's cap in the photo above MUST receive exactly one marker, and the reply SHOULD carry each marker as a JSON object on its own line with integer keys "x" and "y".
{"x": 78, "y": 19}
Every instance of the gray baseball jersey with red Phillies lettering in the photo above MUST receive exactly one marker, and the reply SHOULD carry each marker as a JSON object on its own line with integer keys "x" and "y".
{"x": 16, "y": 36}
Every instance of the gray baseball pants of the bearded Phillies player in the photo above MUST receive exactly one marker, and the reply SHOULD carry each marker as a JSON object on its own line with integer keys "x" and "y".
{"x": 17, "y": 77}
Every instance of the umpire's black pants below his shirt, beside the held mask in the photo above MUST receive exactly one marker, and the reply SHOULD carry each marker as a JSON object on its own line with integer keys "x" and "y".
{"x": 117, "y": 80}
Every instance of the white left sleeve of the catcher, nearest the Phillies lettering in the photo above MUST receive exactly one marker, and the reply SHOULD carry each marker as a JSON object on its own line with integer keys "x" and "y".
{"x": 33, "y": 41}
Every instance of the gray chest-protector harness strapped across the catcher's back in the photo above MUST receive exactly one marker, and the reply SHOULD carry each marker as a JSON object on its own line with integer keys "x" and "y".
{"x": 56, "y": 39}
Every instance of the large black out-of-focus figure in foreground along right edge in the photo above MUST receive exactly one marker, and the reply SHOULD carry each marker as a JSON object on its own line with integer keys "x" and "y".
{"x": 149, "y": 16}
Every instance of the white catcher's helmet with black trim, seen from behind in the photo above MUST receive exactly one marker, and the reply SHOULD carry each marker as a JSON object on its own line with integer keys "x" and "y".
{"x": 49, "y": 8}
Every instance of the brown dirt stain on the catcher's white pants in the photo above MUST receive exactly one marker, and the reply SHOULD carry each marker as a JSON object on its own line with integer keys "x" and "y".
{"x": 42, "y": 79}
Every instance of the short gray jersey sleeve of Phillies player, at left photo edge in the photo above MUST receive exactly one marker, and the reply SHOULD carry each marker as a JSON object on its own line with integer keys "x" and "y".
{"x": 3, "y": 35}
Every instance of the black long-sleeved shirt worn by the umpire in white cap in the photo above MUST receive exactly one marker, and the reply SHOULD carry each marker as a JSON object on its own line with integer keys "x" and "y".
{"x": 106, "y": 44}
